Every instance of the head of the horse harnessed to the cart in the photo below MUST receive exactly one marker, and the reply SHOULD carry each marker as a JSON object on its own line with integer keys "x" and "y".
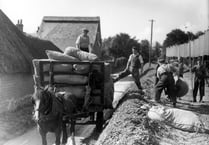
{"x": 42, "y": 100}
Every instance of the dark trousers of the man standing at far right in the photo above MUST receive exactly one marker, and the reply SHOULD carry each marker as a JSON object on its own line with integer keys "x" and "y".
{"x": 199, "y": 84}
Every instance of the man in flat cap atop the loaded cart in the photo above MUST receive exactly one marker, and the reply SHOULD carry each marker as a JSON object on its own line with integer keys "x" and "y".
{"x": 83, "y": 40}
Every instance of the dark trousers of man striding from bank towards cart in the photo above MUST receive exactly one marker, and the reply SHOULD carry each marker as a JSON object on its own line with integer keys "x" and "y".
{"x": 135, "y": 75}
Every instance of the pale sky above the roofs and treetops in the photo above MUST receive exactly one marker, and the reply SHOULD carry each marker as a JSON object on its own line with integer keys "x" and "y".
{"x": 116, "y": 16}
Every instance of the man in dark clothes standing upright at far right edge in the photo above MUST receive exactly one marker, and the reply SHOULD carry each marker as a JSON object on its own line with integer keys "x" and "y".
{"x": 199, "y": 81}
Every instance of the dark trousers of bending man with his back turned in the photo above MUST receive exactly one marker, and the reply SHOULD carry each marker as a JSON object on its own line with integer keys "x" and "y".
{"x": 167, "y": 82}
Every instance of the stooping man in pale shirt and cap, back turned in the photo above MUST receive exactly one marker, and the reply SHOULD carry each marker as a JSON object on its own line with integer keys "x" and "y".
{"x": 166, "y": 81}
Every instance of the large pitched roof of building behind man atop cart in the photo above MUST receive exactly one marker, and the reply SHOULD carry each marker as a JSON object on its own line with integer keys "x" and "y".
{"x": 63, "y": 31}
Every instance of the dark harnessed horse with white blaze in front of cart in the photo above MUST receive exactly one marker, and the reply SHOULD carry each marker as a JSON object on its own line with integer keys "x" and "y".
{"x": 49, "y": 108}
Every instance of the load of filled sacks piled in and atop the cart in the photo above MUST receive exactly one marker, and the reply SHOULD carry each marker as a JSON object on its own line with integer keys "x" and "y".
{"x": 78, "y": 78}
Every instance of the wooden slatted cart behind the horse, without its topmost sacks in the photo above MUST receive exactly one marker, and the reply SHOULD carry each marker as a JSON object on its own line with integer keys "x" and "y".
{"x": 89, "y": 82}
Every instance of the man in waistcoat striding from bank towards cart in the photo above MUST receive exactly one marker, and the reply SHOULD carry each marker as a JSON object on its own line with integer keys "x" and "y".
{"x": 134, "y": 64}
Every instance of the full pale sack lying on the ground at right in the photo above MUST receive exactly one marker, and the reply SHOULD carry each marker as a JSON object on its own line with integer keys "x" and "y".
{"x": 177, "y": 118}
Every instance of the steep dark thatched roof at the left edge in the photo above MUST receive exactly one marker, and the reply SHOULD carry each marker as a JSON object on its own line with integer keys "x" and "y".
{"x": 17, "y": 49}
